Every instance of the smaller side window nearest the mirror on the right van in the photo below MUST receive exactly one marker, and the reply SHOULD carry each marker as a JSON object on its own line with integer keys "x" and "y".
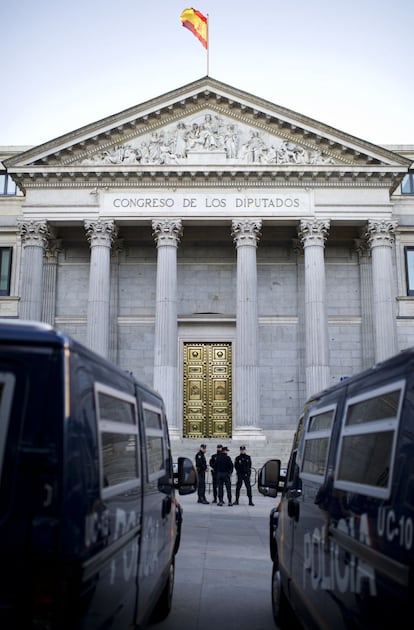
{"x": 316, "y": 442}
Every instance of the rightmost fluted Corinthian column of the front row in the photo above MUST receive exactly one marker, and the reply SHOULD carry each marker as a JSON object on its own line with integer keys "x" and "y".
{"x": 380, "y": 236}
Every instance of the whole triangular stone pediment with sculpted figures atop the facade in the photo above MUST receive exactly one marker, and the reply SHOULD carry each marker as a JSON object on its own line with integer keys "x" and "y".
{"x": 205, "y": 125}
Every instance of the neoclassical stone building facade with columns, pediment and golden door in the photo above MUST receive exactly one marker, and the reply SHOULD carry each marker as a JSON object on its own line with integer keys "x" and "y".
{"x": 234, "y": 254}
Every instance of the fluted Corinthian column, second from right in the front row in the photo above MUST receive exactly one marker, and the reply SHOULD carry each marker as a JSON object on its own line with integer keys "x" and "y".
{"x": 312, "y": 235}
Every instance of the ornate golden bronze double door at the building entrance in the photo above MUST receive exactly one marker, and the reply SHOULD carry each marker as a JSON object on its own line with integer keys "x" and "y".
{"x": 207, "y": 390}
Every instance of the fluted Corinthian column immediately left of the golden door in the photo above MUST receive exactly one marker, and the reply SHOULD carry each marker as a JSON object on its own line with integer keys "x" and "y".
{"x": 167, "y": 234}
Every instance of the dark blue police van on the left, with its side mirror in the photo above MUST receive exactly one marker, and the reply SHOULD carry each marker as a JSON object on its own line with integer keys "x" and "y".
{"x": 89, "y": 518}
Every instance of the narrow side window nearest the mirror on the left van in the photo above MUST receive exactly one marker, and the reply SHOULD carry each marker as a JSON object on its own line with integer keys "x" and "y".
{"x": 156, "y": 442}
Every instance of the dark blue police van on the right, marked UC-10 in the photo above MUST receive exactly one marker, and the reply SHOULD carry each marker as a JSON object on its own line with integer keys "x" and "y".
{"x": 342, "y": 536}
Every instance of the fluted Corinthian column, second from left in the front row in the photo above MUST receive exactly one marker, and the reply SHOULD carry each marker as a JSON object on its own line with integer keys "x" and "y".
{"x": 100, "y": 235}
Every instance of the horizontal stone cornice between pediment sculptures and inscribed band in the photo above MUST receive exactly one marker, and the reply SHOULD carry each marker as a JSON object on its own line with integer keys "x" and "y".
{"x": 224, "y": 176}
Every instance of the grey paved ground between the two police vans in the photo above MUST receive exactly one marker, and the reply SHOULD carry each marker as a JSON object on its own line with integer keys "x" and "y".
{"x": 223, "y": 567}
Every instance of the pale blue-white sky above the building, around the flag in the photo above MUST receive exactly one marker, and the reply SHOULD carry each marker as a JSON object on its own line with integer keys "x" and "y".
{"x": 66, "y": 64}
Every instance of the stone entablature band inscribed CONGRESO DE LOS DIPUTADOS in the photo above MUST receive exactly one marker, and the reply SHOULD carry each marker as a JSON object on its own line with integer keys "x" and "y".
{"x": 192, "y": 205}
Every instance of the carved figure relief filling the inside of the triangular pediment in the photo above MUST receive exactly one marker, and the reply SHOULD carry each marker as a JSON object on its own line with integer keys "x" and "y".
{"x": 208, "y": 138}
